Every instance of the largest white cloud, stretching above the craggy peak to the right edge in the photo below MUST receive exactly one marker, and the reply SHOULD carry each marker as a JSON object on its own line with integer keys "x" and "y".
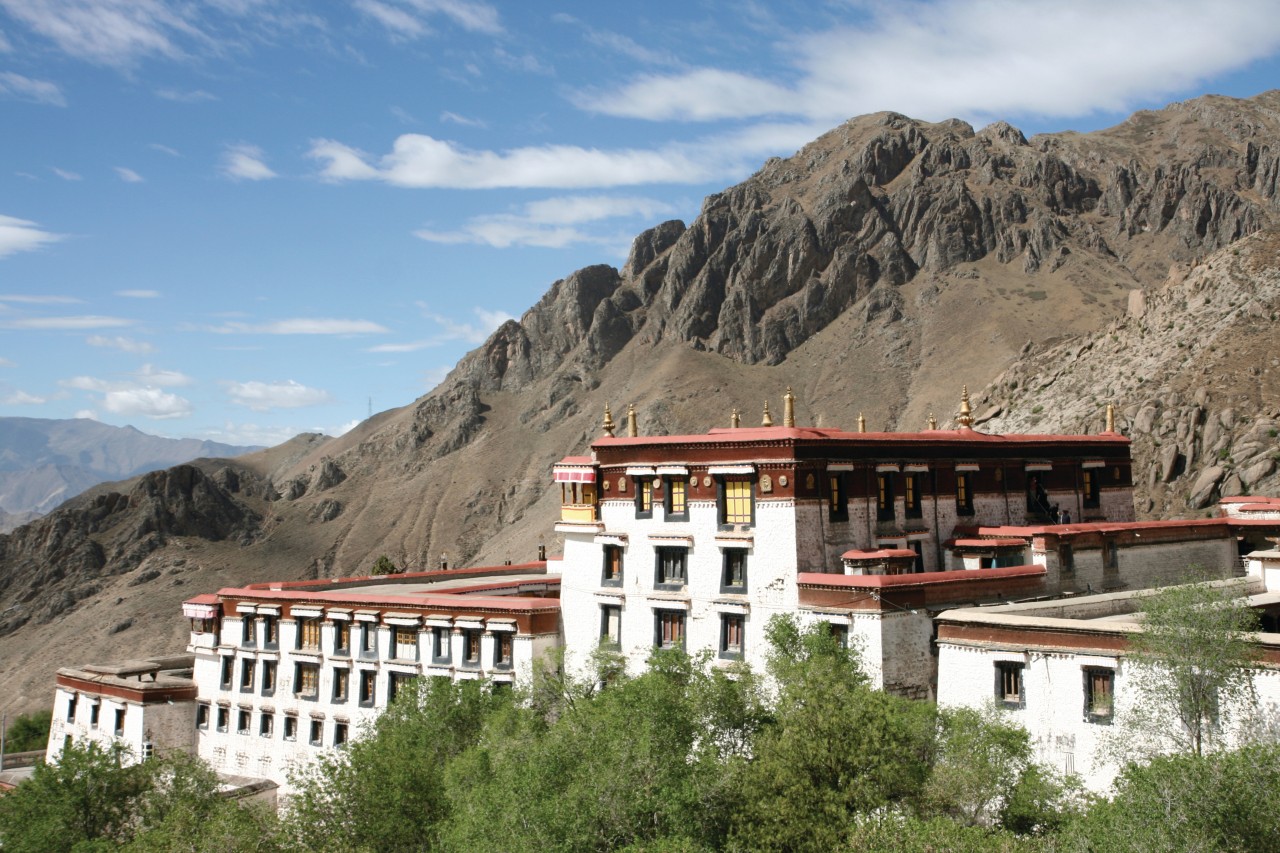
{"x": 976, "y": 61}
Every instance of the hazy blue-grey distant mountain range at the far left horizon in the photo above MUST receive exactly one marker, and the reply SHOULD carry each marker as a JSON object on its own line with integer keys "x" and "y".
{"x": 44, "y": 462}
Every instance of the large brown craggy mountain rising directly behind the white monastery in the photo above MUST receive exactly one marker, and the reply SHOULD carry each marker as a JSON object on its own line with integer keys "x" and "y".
{"x": 877, "y": 271}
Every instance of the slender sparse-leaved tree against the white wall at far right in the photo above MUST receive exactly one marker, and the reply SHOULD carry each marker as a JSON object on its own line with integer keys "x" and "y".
{"x": 1192, "y": 668}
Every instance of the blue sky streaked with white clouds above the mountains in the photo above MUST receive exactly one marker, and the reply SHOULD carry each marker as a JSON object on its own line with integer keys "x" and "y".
{"x": 243, "y": 220}
